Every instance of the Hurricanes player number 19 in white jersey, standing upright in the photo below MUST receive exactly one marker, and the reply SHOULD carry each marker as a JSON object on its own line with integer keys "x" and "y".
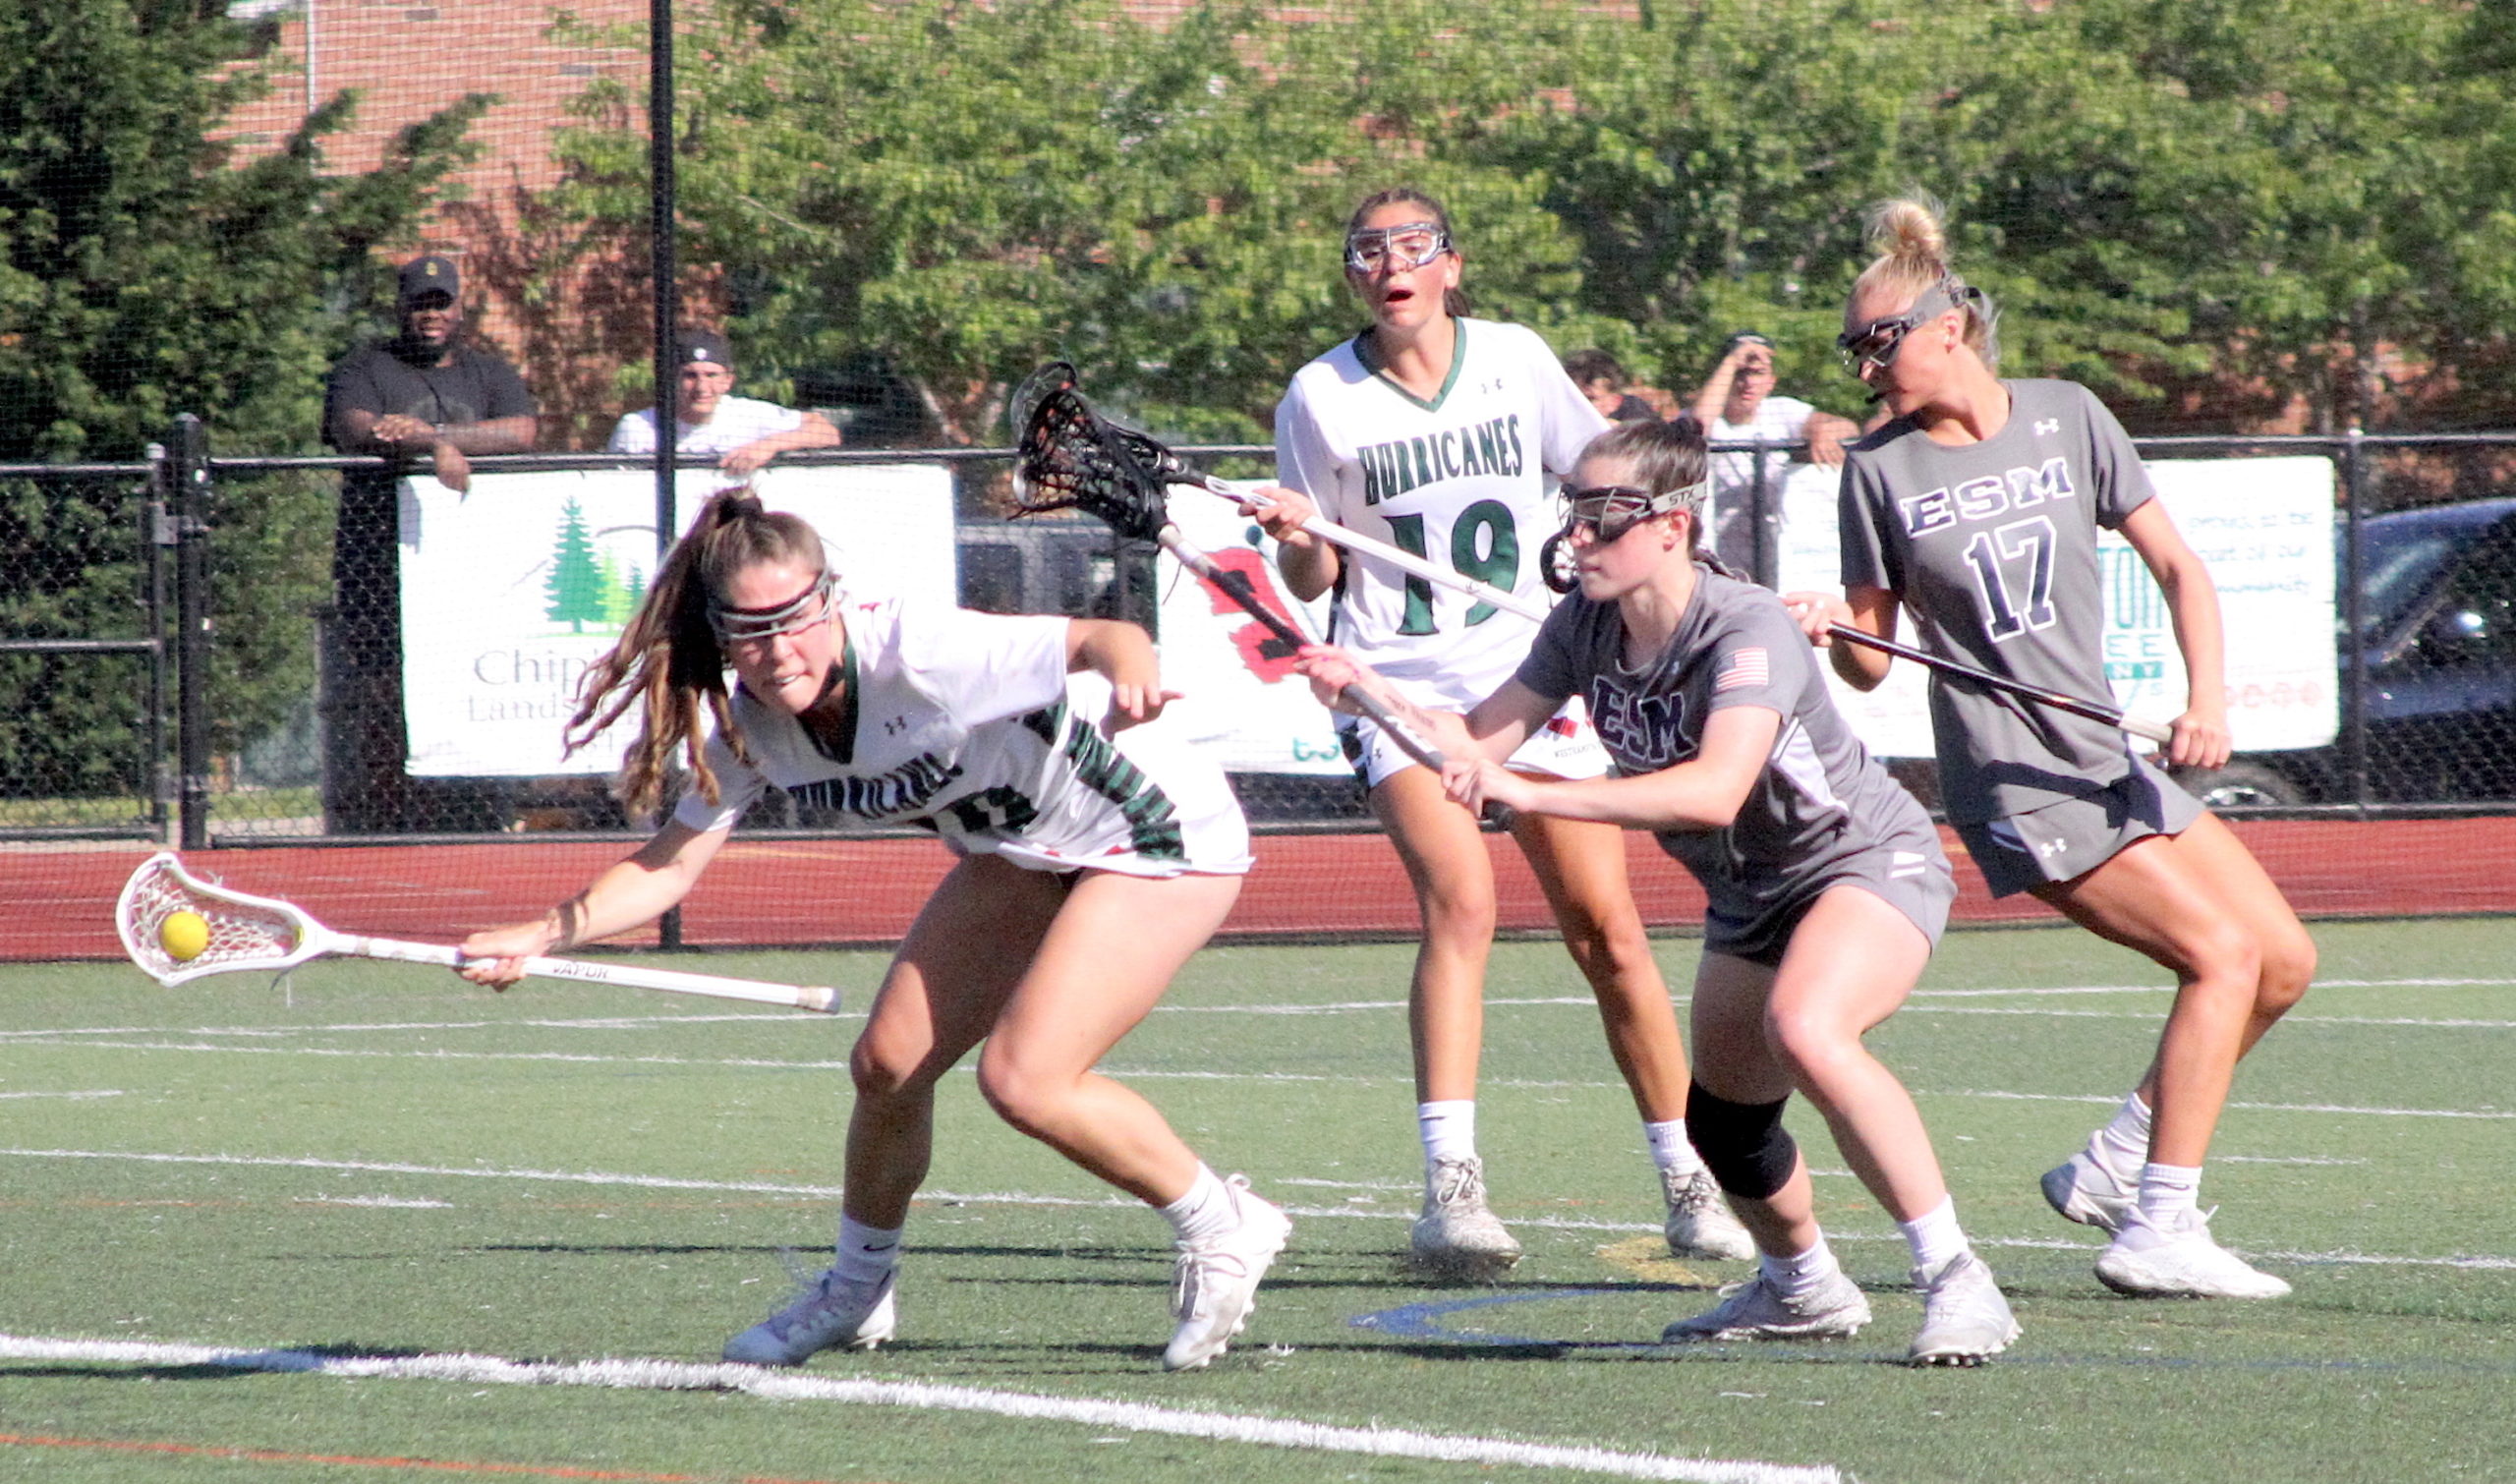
{"x": 1445, "y": 436}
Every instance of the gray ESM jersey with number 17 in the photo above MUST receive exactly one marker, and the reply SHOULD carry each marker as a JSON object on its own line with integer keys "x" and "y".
{"x": 1994, "y": 552}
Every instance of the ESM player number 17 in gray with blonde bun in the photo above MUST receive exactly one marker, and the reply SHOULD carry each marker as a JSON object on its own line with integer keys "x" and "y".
{"x": 1976, "y": 509}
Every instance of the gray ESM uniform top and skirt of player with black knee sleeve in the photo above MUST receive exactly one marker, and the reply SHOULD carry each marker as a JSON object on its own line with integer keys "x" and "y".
{"x": 1820, "y": 801}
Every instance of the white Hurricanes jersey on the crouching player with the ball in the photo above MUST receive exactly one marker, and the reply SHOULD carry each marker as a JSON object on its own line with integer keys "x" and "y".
{"x": 972, "y": 728}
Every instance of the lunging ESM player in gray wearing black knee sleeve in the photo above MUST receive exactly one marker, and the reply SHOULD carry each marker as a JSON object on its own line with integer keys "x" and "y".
{"x": 1825, "y": 879}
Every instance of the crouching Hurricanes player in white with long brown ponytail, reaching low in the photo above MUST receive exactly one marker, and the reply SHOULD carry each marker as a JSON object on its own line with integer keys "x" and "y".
{"x": 1093, "y": 864}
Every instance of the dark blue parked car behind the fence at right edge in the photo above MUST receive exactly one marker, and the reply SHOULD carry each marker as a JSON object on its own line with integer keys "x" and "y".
{"x": 2439, "y": 640}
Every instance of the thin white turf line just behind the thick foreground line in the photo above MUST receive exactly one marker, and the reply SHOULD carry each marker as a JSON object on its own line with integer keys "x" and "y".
{"x": 605, "y": 1178}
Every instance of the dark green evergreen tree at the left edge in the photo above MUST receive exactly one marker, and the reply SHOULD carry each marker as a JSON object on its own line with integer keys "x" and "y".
{"x": 147, "y": 273}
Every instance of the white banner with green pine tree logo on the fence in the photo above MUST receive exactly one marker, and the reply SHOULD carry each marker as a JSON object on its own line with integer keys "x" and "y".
{"x": 517, "y": 587}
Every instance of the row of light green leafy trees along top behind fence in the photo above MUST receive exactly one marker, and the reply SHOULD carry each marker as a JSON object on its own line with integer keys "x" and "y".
{"x": 2253, "y": 205}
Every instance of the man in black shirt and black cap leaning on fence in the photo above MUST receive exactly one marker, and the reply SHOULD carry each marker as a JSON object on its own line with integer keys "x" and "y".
{"x": 434, "y": 396}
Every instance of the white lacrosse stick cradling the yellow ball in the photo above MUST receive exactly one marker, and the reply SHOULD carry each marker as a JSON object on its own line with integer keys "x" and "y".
{"x": 258, "y": 932}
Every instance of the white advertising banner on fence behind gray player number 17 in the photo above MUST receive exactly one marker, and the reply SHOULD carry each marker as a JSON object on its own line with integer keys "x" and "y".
{"x": 2266, "y": 532}
